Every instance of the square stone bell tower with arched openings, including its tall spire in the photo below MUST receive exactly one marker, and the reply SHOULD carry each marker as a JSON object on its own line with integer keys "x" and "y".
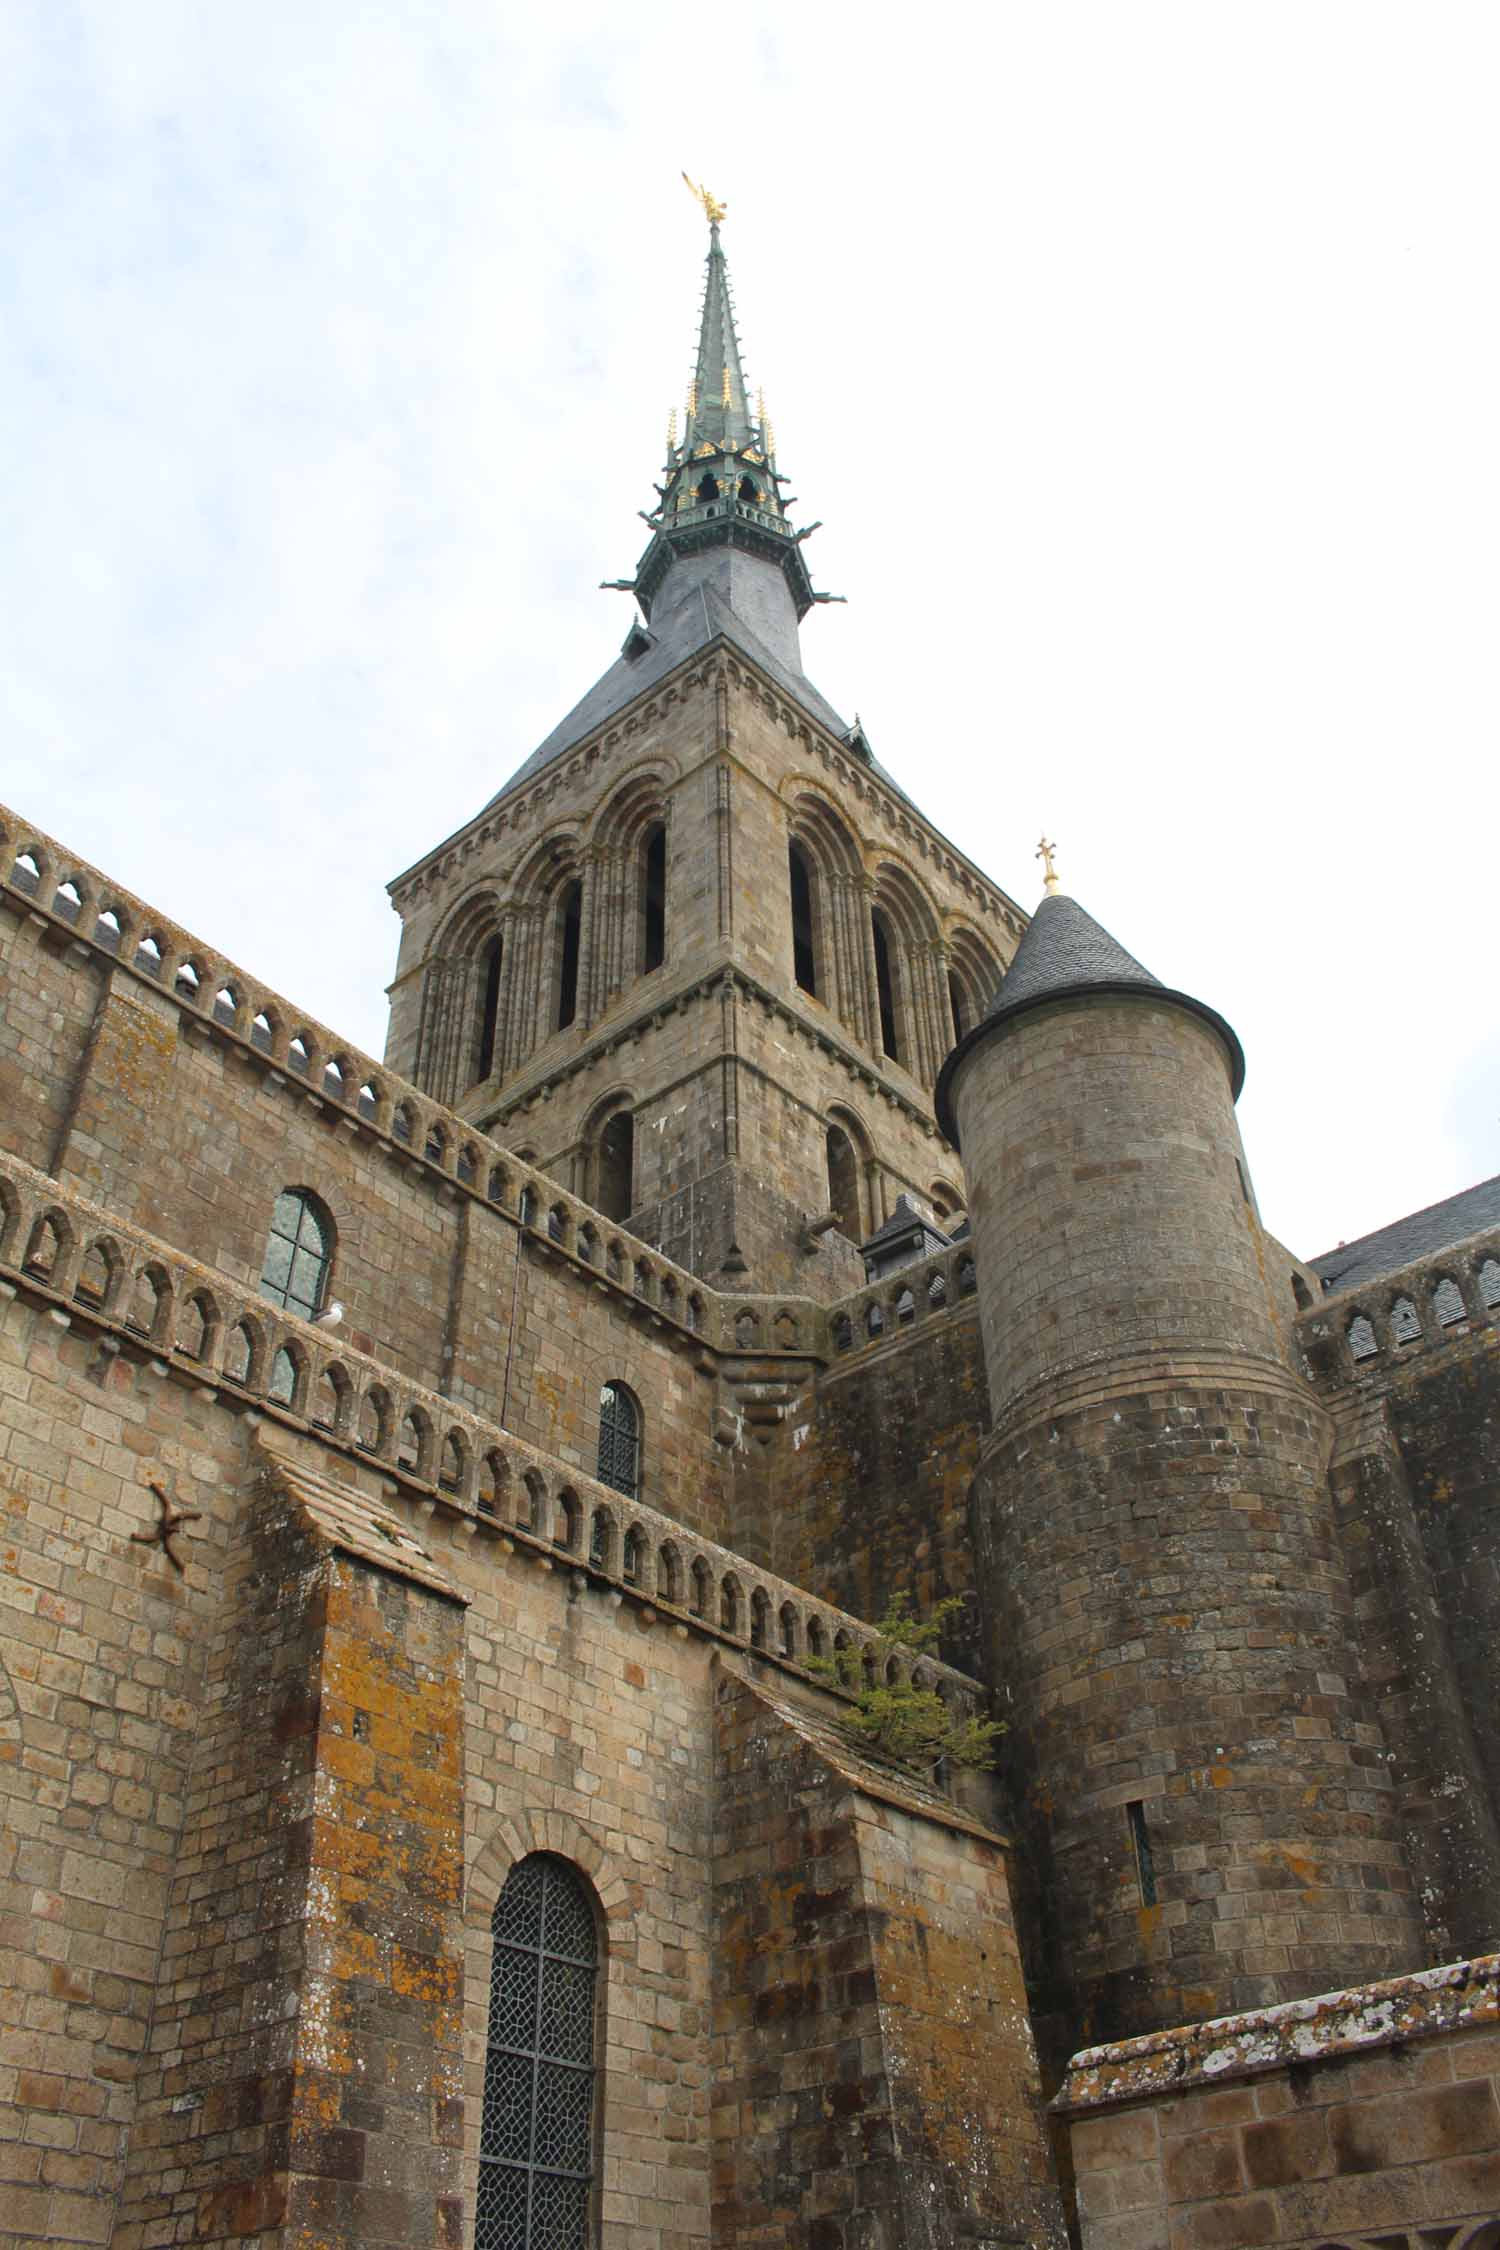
{"x": 701, "y": 957}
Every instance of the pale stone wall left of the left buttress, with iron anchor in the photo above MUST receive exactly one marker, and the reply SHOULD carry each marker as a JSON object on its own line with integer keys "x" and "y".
{"x": 105, "y": 1646}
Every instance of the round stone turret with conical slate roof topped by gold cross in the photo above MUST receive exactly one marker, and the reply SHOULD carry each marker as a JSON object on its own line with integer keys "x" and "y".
{"x": 1198, "y": 1758}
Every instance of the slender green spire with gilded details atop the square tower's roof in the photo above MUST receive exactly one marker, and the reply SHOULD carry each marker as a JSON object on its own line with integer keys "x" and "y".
{"x": 723, "y": 489}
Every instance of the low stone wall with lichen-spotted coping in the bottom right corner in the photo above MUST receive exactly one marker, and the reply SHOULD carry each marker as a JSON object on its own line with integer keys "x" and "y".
{"x": 1355, "y": 2121}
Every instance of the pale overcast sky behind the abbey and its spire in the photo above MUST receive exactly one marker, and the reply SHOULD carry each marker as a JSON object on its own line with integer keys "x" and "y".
{"x": 1141, "y": 361}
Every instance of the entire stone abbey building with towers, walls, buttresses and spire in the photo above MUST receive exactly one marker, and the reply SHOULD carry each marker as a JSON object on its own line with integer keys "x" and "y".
{"x": 435, "y": 1491}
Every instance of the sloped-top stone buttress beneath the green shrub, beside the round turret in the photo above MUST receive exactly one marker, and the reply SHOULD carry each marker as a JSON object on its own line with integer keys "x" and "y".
{"x": 874, "y": 2062}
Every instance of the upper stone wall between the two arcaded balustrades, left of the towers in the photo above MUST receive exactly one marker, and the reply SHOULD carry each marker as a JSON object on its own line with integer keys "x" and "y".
{"x": 186, "y": 1131}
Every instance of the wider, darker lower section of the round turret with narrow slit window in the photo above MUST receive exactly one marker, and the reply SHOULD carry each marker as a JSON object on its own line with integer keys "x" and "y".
{"x": 1234, "y": 1720}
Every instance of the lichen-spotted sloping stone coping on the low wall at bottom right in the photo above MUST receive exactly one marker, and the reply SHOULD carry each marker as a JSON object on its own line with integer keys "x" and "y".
{"x": 1458, "y": 1997}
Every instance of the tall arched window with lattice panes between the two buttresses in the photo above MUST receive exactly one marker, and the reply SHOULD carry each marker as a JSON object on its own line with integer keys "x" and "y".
{"x": 539, "y": 2139}
